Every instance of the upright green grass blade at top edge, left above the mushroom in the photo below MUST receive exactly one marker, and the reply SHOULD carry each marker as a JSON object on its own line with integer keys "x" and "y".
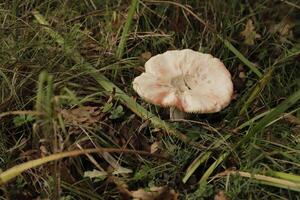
{"x": 126, "y": 28}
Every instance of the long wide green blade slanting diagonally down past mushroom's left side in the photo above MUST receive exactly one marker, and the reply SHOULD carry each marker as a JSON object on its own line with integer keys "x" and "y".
{"x": 110, "y": 87}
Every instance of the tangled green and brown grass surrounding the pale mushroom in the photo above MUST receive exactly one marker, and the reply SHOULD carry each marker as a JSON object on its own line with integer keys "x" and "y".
{"x": 65, "y": 73}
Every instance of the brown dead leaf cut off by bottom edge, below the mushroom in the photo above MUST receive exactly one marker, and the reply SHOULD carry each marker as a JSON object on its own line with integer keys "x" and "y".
{"x": 155, "y": 193}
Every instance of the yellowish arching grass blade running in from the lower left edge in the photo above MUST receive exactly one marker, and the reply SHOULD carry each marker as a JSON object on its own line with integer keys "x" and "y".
{"x": 15, "y": 171}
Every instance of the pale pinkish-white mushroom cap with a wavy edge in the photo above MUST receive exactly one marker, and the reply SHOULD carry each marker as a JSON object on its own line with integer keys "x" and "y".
{"x": 188, "y": 80}
